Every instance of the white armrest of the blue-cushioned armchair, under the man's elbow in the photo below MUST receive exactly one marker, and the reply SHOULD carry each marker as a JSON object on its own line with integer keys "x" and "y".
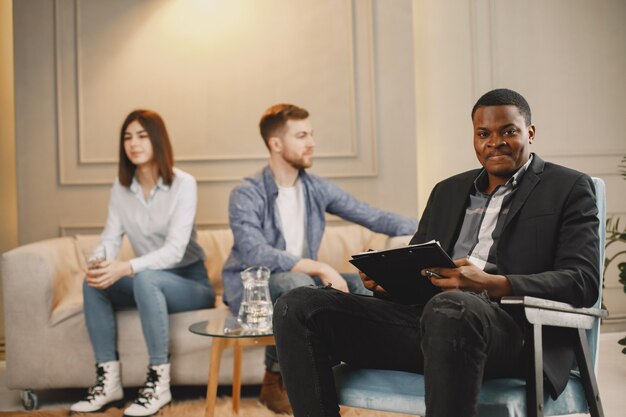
{"x": 554, "y": 313}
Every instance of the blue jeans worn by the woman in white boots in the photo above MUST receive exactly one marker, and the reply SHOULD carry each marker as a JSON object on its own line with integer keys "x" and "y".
{"x": 155, "y": 293}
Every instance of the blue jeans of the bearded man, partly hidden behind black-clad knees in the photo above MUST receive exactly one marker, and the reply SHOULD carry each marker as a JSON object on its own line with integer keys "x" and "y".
{"x": 282, "y": 282}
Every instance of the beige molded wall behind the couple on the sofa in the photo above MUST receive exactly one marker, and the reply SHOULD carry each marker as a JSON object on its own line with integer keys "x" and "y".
{"x": 211, "y": 69}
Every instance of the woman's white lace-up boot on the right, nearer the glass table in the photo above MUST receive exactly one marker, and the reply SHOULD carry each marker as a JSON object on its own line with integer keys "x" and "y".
{"x": 155, "y": 393}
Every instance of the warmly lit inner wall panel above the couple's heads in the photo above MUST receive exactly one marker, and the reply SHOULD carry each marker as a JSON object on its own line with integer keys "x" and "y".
{"x": 210, "y": 68}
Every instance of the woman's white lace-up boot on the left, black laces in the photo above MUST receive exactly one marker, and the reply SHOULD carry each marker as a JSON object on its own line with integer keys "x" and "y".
{"x": 106, "y": 392}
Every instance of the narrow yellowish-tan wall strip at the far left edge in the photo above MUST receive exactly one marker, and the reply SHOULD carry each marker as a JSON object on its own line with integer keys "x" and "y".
{"x": 8, "y": 188}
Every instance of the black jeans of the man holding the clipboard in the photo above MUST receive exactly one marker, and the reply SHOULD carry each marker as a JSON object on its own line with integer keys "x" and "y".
{"x": 455, "y": 340}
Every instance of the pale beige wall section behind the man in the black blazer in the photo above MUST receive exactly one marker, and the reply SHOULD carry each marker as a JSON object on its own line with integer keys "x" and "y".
{"x": 566, "y": 57}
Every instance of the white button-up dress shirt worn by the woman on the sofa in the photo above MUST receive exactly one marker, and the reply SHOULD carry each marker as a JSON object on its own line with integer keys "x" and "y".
{"x": 161, "y": 229}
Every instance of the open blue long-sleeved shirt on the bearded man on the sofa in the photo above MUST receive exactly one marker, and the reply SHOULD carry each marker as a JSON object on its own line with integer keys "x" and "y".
{"x": 258, "y": 238}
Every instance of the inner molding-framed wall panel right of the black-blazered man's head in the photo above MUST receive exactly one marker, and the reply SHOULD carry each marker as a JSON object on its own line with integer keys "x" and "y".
{"x": 553, "y": 60}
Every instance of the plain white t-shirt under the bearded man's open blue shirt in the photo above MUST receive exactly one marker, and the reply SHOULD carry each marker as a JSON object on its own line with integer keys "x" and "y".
{"x": 292, "y": 209}
